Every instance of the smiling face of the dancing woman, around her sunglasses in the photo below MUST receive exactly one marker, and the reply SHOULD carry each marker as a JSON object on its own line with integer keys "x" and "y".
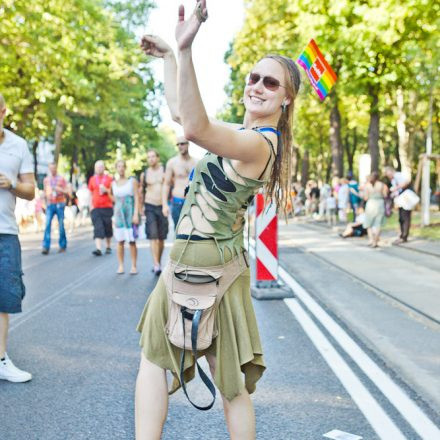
{"x": 258, "y": 98}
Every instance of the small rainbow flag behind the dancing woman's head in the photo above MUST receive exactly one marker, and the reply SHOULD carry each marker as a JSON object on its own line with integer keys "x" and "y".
{"x": 320, "y": 73}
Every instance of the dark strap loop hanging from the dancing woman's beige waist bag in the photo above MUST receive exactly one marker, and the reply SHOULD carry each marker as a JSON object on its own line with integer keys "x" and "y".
{"x": 195, "y": 318}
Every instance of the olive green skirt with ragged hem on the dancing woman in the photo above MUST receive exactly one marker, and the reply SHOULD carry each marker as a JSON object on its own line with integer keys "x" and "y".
{"x": 237, "y": 347}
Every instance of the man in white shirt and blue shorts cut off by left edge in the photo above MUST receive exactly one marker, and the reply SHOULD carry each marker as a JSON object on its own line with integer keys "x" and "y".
{"x": 16, "y": 180}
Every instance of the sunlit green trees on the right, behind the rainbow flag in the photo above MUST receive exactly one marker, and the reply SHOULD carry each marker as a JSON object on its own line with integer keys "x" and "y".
{"x": 387, "y": 57}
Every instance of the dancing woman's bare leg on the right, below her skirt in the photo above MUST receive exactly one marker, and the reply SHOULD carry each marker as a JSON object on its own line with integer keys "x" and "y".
{"x": 239, "y": 412}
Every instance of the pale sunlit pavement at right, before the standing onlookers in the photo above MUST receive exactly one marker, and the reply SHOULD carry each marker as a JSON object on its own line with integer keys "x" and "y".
{"x": 409, "y": 277}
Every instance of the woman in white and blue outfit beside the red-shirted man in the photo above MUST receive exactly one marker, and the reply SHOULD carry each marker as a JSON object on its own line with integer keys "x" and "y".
{"x": 126, "y": 216}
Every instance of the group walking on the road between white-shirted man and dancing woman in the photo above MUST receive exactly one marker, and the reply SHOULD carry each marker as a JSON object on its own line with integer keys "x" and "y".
{"x": 114, "y": 204}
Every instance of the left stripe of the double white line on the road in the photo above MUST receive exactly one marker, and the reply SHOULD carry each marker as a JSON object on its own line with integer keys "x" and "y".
{"x": 373, "y": 412}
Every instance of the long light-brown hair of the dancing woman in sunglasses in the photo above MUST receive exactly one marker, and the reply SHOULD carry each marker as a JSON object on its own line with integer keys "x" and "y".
{"x": 279, "y": 184}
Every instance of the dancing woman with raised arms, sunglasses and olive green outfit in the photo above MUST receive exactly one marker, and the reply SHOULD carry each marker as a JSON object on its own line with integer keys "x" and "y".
{"x": 241, "y": 159}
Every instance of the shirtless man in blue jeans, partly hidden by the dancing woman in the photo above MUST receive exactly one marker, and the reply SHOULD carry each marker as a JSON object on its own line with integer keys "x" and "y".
{"x": 176, "y": 176}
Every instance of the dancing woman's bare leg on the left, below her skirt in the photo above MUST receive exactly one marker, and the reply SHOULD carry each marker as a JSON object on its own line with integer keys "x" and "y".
{"x": 151, "y": 403}
